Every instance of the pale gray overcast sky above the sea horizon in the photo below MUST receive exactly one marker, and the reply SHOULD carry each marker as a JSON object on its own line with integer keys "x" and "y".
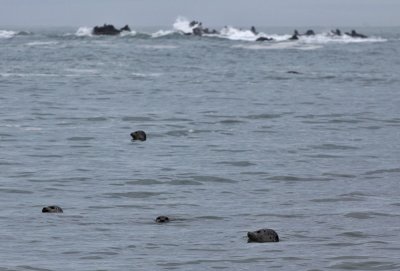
{"x": 139, "y": 13}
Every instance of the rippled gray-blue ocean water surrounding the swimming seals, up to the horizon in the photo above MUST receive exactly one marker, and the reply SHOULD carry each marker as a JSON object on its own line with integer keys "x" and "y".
{"x": 235, "y": 142}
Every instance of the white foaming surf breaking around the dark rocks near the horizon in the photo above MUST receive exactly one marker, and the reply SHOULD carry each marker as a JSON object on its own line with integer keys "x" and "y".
{"x": 183, "y": 28}
